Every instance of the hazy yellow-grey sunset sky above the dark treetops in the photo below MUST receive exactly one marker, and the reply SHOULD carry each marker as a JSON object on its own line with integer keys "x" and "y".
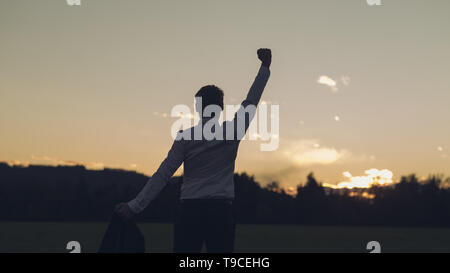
{"x": 359, "y": 87}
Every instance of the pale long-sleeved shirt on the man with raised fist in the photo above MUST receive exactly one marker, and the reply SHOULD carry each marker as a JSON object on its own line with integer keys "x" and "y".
{"x": 208, "y": 164}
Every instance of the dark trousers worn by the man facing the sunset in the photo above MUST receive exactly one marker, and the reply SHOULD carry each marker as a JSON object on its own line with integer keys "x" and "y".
{"x": 206, "y": 221}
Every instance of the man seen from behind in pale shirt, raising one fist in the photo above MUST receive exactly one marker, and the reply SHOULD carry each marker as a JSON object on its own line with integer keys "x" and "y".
{"x": 207, "y": 191}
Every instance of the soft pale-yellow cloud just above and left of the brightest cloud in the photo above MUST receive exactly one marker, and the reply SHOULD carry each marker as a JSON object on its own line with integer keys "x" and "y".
{"x": 309, "y": 152}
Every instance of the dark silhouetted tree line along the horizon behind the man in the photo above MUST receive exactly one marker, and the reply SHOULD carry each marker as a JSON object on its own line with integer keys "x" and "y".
{"x": 45, "y": 193}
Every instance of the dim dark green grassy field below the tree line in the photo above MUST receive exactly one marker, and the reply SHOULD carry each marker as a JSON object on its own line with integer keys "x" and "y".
{"x": 53, "y": 237}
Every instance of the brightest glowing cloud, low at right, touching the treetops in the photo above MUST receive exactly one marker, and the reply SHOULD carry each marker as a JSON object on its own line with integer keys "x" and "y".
{"x": 371, "y": 177}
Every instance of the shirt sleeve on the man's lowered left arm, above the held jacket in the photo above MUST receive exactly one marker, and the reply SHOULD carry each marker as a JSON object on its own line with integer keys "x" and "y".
{"x": 159, "y": 179}
